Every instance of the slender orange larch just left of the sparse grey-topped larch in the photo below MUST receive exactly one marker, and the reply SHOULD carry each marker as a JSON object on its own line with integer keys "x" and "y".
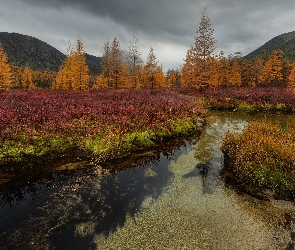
{"x": 115, "y": 63}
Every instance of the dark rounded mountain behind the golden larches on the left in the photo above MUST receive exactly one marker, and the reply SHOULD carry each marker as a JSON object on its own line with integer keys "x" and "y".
{"x": 23, "y": 49}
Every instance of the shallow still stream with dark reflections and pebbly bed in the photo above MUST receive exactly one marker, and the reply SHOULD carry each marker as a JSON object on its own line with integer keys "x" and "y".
{"x": 175, "y": 200}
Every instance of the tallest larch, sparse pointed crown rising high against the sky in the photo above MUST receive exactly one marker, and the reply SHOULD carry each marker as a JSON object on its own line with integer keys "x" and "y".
{"x": 205, "y": 48}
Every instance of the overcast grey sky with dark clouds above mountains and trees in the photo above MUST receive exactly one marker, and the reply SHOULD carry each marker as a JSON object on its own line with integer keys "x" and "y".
{"x": 169, "y": 26}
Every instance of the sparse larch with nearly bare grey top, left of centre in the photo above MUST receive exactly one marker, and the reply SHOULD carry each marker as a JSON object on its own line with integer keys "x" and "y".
{"x": 134, "y": 62}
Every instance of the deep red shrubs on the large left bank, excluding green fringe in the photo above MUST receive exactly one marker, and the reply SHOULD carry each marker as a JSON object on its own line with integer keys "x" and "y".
{"x": 53, "y": 111}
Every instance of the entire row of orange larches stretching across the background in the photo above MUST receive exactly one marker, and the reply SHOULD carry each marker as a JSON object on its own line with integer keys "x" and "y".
{"x": 202, "y": 68}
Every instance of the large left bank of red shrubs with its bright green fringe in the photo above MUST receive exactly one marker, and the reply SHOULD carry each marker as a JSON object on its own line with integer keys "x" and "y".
{"x": 42, "y": 125}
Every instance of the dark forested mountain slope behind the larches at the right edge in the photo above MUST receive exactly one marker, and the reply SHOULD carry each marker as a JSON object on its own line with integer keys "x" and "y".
{"x": 285, "y": 42}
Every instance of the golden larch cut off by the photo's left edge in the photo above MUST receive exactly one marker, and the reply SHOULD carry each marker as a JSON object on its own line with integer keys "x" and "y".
{"x": 5, "y": 72}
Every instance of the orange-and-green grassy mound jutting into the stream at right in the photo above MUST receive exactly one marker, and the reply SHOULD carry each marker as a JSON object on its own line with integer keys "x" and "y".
{"x": 262, "y": 159}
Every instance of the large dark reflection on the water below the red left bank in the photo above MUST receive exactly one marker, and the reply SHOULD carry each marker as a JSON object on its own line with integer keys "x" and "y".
{"x": 69, "y": 210}
